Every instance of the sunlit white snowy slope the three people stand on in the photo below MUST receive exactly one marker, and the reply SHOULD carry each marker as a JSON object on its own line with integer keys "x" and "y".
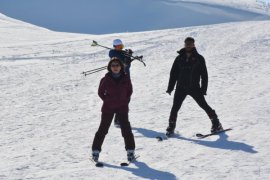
{"x": 49, "y": 112}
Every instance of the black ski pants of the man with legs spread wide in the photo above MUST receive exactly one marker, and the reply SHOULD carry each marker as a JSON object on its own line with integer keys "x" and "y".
{"x": 180, "y": 96}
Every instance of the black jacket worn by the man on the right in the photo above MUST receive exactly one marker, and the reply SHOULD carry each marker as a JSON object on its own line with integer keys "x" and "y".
{"x": 188, "y": 72}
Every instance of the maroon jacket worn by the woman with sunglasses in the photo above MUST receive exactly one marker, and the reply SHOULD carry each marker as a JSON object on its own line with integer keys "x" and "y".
{"x": 115, "y": 93}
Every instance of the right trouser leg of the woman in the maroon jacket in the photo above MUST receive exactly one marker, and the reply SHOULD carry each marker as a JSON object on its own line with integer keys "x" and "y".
{"x": 126, "y": 131}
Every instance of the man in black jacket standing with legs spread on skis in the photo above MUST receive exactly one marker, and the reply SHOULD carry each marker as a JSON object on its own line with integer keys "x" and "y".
{"x": 188, "y": 70}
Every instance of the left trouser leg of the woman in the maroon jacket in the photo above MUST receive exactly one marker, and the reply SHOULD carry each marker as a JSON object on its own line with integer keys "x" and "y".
{"x": 106, "y": 120}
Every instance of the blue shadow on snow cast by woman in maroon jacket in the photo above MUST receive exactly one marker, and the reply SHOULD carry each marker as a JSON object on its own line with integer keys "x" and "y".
{"x": 144, "y": 171}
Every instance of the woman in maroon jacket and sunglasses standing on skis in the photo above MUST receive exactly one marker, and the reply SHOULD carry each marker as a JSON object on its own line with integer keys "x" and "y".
{"x": 115, "y": 90}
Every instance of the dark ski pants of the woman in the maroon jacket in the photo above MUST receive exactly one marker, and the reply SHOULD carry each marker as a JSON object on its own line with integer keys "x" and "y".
{"x": 106, "y": 120}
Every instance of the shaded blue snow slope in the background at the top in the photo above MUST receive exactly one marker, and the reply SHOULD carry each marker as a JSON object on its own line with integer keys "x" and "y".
{"x": 106, "y": 17}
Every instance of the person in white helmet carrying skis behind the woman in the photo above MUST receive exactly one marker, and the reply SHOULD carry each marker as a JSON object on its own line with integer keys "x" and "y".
{"x": 124, "y": 57}
